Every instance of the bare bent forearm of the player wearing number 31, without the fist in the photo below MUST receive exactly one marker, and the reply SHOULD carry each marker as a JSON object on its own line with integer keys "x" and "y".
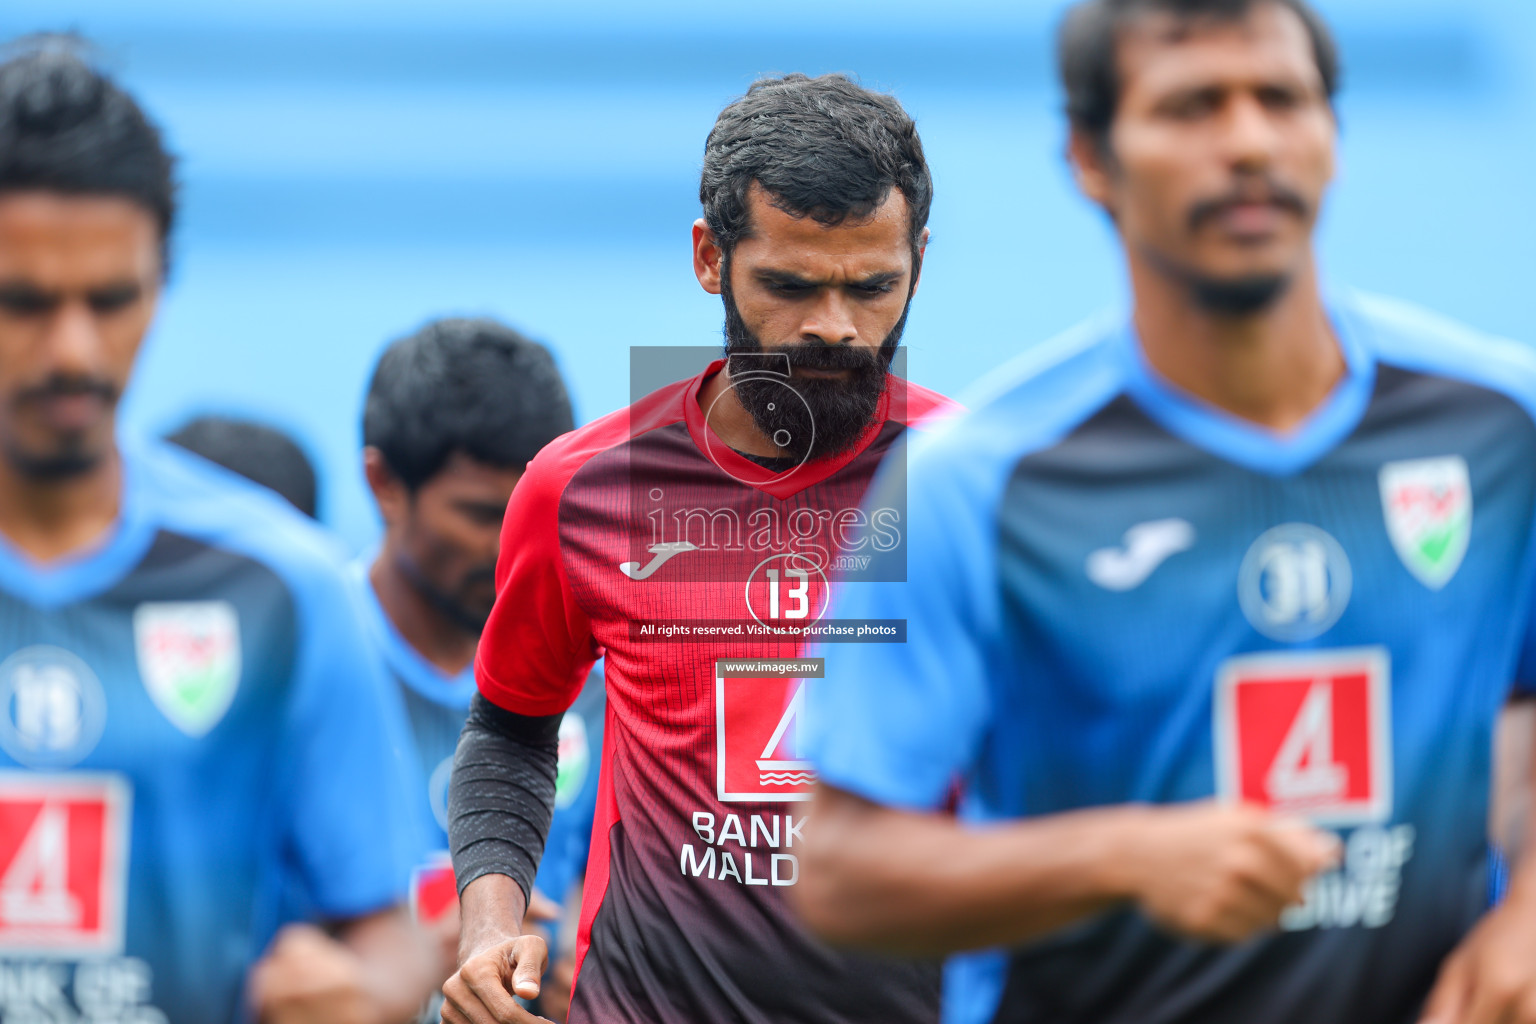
{"x": 927, "y": 885}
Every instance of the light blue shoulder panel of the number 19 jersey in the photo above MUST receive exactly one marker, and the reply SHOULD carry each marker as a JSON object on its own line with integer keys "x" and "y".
{"x": 207, "y": 503}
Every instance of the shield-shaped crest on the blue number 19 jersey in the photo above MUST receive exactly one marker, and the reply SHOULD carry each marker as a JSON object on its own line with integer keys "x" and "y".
{"x": 190, "y": 661}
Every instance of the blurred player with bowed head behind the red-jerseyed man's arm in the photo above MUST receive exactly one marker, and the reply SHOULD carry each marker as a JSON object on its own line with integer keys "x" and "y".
{"x": 452, "y": 418}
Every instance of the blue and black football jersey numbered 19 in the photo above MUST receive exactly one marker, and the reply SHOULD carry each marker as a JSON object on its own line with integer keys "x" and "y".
{"x": 191, "y": 744}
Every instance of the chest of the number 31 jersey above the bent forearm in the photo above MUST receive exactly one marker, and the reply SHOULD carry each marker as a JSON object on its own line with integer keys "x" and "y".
{"x": 1185, "y": 627}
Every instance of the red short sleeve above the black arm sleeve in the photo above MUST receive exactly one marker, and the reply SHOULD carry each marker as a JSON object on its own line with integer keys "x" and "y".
{"x": 537, "y": 649}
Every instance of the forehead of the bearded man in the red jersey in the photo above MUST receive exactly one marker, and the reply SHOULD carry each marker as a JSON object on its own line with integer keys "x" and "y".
{"x": 801, "y": 243}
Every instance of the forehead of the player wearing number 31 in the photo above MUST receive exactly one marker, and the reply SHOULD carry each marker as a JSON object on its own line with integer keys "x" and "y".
{"x": 1160, "y": 53}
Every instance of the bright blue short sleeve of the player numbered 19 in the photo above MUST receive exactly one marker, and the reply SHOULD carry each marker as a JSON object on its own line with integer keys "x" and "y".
{"x": 354, "y": 824}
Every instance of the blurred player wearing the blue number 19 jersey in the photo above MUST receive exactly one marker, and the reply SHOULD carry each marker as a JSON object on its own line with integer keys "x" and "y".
{"x": 190, "y": 716}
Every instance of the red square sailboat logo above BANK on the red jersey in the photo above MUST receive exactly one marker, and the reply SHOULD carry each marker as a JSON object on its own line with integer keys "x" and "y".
{"x": 758, "y": 728}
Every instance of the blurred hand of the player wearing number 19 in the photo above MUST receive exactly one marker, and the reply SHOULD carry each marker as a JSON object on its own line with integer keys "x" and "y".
{"x": 313, "y": 979}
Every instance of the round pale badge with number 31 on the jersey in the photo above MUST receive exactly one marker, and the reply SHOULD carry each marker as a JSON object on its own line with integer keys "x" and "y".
{"x": 1294, "y": 583}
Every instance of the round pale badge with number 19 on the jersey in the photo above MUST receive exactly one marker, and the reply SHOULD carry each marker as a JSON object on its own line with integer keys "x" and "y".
{"x": 53, "y": 707}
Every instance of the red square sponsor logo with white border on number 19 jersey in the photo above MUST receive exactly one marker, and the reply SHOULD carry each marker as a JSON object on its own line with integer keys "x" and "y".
{"x": 64, "y": 864}
